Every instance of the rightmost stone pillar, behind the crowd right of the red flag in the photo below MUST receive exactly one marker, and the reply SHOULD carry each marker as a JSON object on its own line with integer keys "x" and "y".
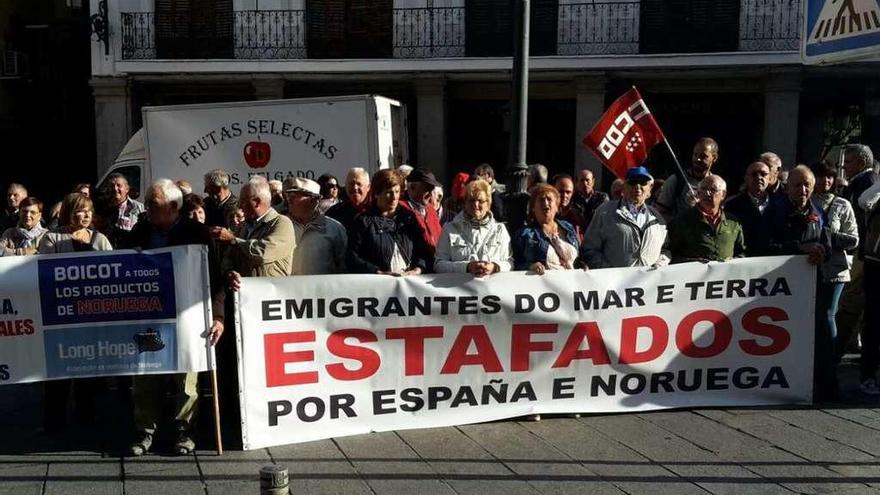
{"x": 782, "y": 96}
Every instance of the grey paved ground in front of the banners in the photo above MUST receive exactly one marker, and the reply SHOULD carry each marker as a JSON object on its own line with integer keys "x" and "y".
{"x": 829, "y": 448}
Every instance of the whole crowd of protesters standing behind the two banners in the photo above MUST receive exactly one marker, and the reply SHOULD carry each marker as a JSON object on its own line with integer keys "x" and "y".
{"x": 398, "y": 223}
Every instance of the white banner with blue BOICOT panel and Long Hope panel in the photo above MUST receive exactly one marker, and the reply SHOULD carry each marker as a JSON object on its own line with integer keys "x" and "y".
{"x": 103, "y": 313}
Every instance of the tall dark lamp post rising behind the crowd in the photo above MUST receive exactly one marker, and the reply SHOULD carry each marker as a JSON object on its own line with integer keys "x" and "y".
{"x": 516, "y": 166}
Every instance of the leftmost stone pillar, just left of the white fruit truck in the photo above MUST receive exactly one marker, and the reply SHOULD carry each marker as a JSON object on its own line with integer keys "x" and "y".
{"x": 112, "y": 118}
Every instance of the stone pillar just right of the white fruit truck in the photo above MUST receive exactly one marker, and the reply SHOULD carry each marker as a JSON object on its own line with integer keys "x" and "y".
{"x": 431, "y": 126}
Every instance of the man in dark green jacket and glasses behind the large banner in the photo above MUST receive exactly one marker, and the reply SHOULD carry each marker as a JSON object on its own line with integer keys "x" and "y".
{"x": 704, "y": 232}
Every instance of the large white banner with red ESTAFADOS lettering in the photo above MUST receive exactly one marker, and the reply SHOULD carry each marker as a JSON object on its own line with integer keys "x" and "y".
{"x": 327, "y": 356}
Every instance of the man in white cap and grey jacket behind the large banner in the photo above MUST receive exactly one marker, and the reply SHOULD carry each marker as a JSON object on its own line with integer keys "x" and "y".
{"x": 320, "y": 241}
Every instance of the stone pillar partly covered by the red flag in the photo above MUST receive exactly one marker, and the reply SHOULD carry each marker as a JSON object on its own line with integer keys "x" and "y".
{"x": 590, "y": 94}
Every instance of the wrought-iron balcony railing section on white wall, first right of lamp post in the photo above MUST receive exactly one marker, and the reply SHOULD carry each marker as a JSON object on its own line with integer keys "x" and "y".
{"x": 591, "y": 28}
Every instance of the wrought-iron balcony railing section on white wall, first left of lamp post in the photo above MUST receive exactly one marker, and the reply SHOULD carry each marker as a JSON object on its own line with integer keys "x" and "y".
{"x": 429, "y": 32}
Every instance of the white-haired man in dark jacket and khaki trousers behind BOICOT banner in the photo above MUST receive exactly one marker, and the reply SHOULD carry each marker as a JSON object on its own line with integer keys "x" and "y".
{"x": 164, "y": 226}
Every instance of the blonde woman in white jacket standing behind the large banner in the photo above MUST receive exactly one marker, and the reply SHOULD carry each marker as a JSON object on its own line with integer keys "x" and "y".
{"x": 473, "y": 242}
